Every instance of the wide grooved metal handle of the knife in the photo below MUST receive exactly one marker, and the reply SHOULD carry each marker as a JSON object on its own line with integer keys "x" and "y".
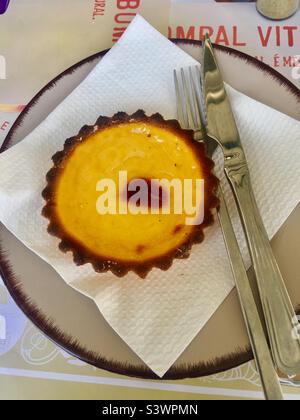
{"x": 281, "y": 320}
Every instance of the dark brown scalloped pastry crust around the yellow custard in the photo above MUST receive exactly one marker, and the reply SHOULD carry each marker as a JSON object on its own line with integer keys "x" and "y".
{"x": 101, "y": 263}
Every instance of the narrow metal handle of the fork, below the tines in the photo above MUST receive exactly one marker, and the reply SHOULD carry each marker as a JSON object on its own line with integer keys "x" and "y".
{"x": 262, "y": 355}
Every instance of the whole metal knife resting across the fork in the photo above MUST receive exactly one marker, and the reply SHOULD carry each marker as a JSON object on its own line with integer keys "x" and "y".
{"x": 281, "y": 321}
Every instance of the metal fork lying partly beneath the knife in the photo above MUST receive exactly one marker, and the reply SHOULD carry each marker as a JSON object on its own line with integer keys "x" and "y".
{"x": 189, "y": 105}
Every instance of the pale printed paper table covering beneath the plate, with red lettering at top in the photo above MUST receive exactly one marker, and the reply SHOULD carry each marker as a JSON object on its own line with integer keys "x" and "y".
{"x": 31, "y": 366}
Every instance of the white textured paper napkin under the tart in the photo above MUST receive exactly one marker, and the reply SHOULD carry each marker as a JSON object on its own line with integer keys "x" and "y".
{"x": 159, "y": 316}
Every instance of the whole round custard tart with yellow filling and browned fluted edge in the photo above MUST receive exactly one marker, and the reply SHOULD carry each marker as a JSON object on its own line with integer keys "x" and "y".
{"x": 122, "y": 151}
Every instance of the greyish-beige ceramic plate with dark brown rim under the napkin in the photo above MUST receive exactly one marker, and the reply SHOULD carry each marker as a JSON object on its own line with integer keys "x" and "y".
{"x": 63, "y": 314}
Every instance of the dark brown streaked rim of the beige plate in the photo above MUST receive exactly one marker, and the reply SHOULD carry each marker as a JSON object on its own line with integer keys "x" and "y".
{"x": 70, "y": 344}
